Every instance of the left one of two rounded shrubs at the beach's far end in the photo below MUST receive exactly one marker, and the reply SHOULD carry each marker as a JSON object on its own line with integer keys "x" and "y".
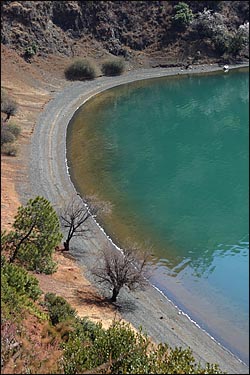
{"x": 80, "y": 70}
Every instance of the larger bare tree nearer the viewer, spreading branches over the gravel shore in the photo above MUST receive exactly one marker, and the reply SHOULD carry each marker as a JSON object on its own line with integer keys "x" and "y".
{"x": 119, "y": 269}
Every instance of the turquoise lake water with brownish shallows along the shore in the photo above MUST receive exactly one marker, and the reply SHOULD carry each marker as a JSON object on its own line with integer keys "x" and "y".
{"x": 170, "y": 156}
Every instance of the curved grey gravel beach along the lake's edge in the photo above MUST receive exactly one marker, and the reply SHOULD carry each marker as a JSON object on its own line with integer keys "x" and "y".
{"x": 49, "y": 177}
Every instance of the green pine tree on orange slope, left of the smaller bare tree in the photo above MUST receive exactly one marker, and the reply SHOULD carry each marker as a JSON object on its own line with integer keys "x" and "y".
{"x": 36, "y": 232}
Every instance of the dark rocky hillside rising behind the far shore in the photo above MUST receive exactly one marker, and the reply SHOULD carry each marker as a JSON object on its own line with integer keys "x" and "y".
{"x": 119, "y": 28}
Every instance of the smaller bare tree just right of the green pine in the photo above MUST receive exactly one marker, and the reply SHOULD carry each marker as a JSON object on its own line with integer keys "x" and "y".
{"x": 74, "y": 216}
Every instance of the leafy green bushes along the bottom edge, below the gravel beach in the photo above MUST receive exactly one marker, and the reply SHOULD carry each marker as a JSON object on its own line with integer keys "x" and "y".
{"x": 120, "y": 350}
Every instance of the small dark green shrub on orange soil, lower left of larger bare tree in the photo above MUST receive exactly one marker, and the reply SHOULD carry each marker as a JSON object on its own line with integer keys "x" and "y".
{"x": 58, "y": 308}
